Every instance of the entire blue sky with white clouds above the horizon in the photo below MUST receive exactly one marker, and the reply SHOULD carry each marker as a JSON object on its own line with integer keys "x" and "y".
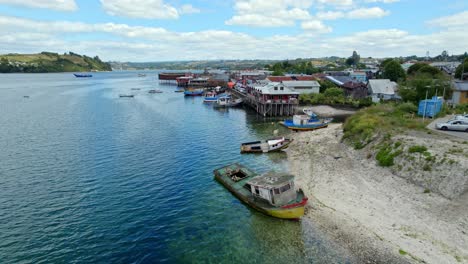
{"x": 177, "y": 30}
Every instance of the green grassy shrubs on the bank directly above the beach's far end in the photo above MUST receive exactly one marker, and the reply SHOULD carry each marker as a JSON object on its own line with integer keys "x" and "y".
{"x": 379, "y": 120}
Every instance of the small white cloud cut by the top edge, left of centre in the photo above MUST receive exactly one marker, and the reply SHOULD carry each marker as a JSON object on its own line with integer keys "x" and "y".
{"x": 149, "y": 9}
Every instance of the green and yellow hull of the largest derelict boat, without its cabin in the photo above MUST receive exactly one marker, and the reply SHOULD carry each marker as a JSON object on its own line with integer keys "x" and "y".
{"x": 240, "y": 181}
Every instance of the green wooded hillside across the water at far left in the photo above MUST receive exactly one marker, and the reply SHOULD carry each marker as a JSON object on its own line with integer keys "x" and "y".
{"x": 51, "y": 62}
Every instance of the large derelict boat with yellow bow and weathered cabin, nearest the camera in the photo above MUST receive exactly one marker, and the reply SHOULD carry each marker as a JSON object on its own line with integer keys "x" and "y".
{"x": 271, "y": 193}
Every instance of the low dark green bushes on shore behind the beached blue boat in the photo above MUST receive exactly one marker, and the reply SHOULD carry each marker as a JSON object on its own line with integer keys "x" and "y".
{"x": 333, "y": 96}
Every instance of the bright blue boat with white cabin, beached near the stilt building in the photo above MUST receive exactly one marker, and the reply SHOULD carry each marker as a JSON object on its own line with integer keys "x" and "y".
{"x": 308, "y": 121}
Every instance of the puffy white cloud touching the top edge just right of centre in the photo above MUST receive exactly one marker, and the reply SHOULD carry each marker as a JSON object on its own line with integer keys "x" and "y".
{"x": 268, "y": 13}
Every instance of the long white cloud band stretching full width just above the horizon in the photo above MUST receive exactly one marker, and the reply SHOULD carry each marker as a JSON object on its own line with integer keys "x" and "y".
{"x": 137, "y": 43}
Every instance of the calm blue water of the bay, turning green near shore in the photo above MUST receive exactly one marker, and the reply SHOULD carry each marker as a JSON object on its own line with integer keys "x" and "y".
{"x": 86, "y": 176}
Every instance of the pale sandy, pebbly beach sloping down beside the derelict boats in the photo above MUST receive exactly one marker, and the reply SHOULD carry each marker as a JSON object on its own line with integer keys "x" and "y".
{"x": 372, "y": 213}
